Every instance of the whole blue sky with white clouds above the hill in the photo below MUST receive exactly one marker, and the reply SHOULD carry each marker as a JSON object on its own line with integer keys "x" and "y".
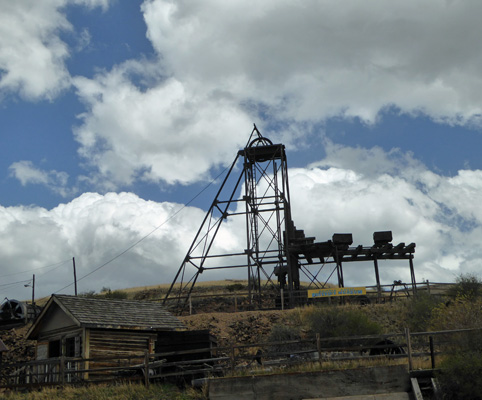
{"x": 118, "y": 118}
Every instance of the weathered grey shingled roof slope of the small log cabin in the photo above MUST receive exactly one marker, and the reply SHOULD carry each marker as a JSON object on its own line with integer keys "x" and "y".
{"x": 118, "y": 314}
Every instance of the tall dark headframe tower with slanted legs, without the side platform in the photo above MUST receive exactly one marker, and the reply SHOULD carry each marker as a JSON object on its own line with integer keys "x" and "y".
{"x": 268, "y": 224}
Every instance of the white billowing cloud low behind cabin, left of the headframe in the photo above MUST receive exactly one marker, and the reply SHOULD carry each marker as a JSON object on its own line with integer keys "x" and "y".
{"x": 94, "y": 229}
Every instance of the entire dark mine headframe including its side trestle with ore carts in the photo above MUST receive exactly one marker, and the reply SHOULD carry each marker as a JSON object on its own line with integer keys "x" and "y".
{"x": 259, "y": 199}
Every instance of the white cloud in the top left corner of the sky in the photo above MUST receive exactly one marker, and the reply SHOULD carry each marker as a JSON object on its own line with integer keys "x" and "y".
{"x": 32, "y": 54}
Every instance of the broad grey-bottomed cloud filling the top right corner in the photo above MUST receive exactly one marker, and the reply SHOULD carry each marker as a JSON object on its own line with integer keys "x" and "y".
{"x": 311, "y": 60}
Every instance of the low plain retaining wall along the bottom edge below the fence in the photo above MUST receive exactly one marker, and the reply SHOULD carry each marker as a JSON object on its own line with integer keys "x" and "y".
{"x": 297, "y": 386}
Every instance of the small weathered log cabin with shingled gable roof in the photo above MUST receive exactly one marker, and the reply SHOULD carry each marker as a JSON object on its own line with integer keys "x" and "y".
{"x": 91, "y": 328}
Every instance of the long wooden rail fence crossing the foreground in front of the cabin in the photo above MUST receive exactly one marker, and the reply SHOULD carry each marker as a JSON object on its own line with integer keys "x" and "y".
{"x": 425, "y": 346}
